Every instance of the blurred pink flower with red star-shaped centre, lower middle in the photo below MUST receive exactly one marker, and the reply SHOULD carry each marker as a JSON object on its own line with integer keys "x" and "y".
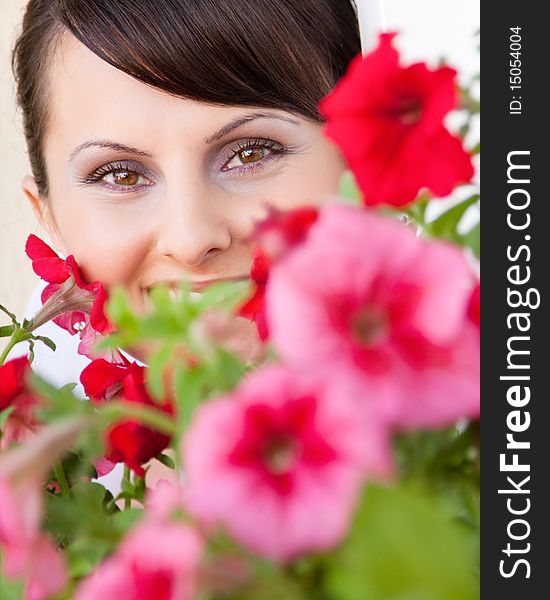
{"x": 279, "y": 463}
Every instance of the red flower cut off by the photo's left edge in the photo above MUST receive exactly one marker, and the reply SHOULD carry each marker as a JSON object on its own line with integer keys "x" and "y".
{"x": 15, "y": 394}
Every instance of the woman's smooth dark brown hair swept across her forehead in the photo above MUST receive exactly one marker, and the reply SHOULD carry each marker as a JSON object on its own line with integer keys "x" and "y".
{"x": 284, "y": 54}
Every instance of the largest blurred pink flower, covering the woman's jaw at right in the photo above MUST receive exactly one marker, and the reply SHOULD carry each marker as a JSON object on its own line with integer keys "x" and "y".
{"x": 365, "y": 298}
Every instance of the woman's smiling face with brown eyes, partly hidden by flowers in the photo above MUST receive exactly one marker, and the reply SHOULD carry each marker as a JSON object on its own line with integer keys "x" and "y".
{"x": 147, "y": 188}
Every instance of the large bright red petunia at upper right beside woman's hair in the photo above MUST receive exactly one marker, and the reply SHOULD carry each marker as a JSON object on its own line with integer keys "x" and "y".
{"x": 388, "y": 121}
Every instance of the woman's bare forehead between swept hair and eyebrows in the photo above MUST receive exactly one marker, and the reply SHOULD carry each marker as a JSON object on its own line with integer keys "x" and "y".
{"x": 89, "y": 98}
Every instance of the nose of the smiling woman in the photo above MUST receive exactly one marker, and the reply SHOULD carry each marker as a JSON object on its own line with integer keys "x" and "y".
{"x": 193, "y": 225}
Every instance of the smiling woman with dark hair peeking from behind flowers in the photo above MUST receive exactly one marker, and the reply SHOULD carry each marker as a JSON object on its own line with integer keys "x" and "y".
{"x": 160, "y": 132}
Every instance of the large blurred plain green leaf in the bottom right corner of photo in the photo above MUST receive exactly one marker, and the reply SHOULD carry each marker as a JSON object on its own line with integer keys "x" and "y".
{"x": 404, "y": 546}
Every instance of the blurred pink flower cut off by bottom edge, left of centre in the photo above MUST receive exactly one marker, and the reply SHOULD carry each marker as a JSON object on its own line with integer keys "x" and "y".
{"x": 156, "y": 561}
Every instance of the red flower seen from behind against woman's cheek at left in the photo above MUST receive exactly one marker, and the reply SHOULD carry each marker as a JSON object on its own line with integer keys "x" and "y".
{"x": 74, "y": 305}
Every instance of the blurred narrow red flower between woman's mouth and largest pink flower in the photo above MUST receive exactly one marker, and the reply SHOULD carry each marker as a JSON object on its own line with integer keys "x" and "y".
{"x": 276, "y": 235}
